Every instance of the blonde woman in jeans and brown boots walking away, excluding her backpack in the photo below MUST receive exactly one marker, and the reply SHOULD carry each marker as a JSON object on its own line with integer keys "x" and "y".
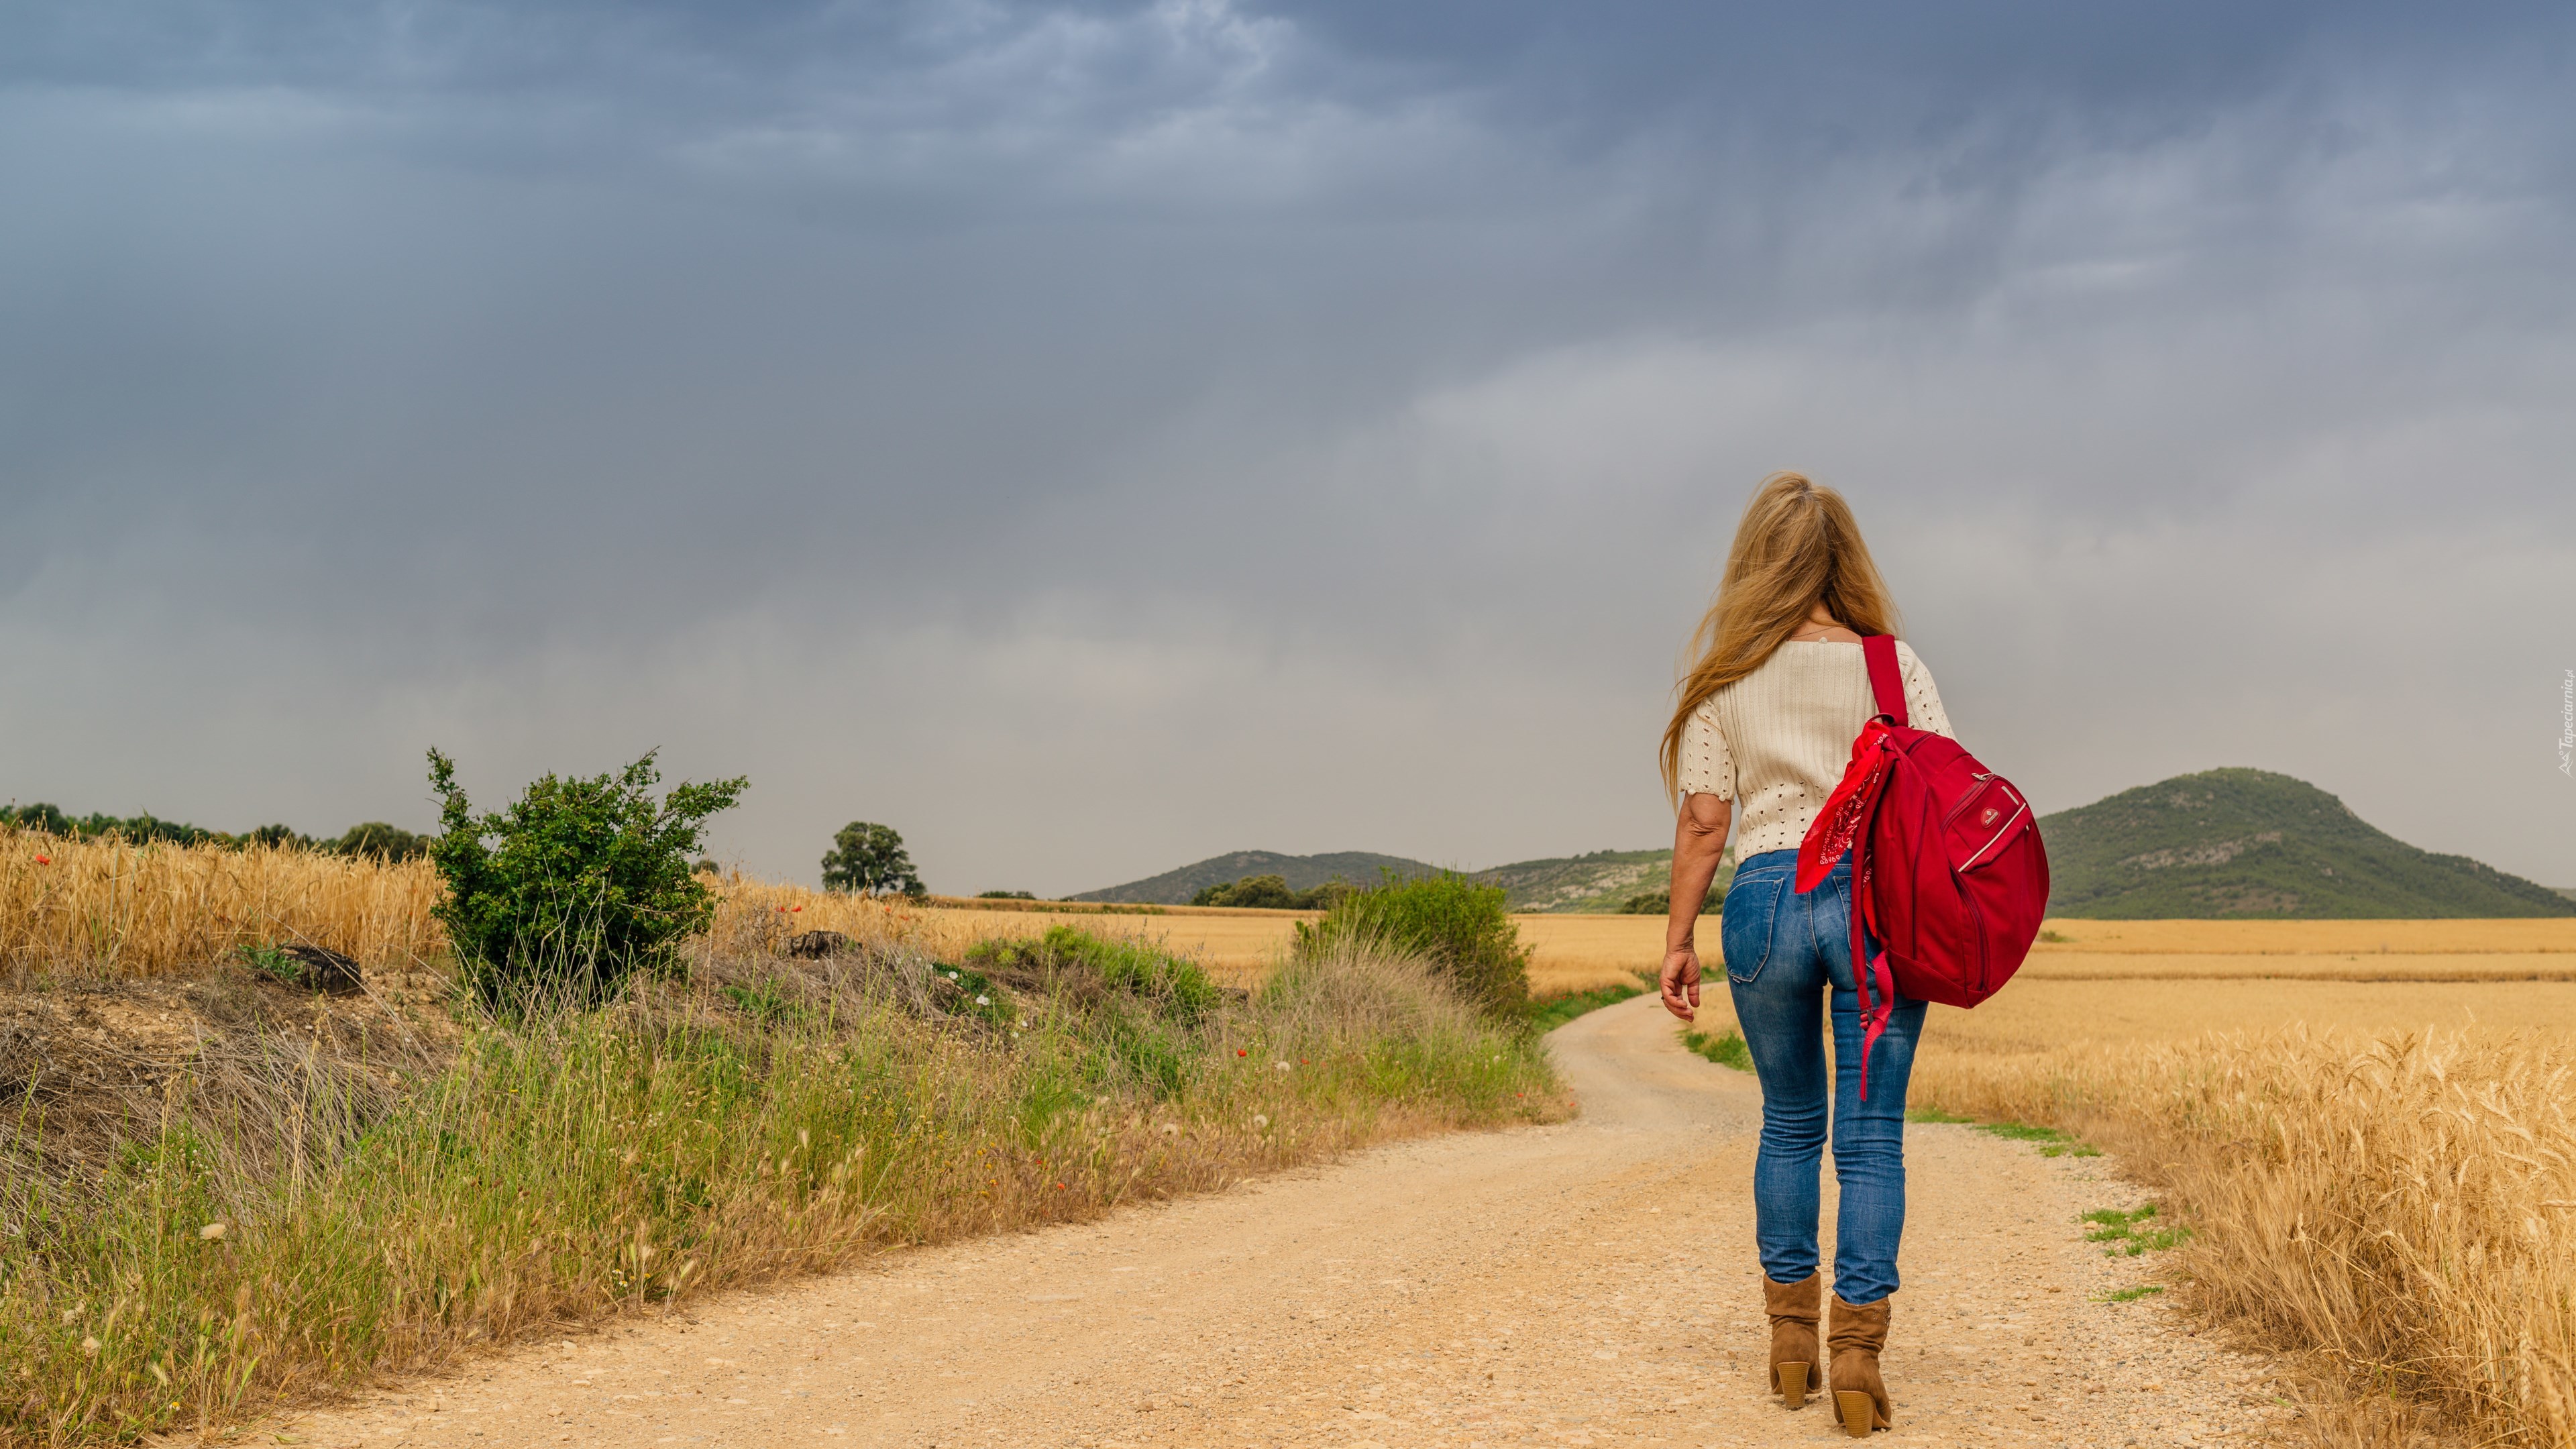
{"x": 1763, "y": 731}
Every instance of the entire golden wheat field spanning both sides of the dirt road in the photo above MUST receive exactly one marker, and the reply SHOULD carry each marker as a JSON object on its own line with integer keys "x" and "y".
{"x": 2363, "y": 1120}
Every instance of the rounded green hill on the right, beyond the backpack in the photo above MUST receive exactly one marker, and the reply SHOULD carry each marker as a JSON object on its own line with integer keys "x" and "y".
{"x": 2260, "y": 844}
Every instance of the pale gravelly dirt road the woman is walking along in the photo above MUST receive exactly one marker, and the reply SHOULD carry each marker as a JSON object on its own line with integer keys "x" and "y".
{"x": 1565, "y": 1285}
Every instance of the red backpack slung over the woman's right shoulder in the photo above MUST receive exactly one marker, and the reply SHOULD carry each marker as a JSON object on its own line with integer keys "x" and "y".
{"x": 1949, "y": 873}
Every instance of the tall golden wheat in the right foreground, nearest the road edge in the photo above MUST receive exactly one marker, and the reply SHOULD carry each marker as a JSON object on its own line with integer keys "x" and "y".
{"x": 2394, "y": 1208}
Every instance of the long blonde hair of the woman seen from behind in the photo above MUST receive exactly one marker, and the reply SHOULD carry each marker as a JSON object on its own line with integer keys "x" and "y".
{"x": 1797, "y": 548}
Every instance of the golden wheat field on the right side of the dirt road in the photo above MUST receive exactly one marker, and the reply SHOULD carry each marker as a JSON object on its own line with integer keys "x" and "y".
{"x": 2371, "y": 1146}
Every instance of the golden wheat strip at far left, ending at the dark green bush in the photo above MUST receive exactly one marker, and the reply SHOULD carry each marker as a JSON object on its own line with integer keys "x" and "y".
{"x": 140, "y": 911}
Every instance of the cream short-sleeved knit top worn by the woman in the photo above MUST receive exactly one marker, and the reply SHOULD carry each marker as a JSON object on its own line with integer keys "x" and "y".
{"x": 1776, "y": 741}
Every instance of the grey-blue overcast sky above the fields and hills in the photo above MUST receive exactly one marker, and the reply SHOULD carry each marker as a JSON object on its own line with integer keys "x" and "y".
{"x": 1099, "y": 437}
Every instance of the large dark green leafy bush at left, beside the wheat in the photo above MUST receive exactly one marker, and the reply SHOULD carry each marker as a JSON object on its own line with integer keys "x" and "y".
{"x": 573, "y": 888}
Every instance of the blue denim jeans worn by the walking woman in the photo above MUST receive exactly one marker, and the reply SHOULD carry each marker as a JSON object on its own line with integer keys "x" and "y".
{"x": 1786, "y": 955}
